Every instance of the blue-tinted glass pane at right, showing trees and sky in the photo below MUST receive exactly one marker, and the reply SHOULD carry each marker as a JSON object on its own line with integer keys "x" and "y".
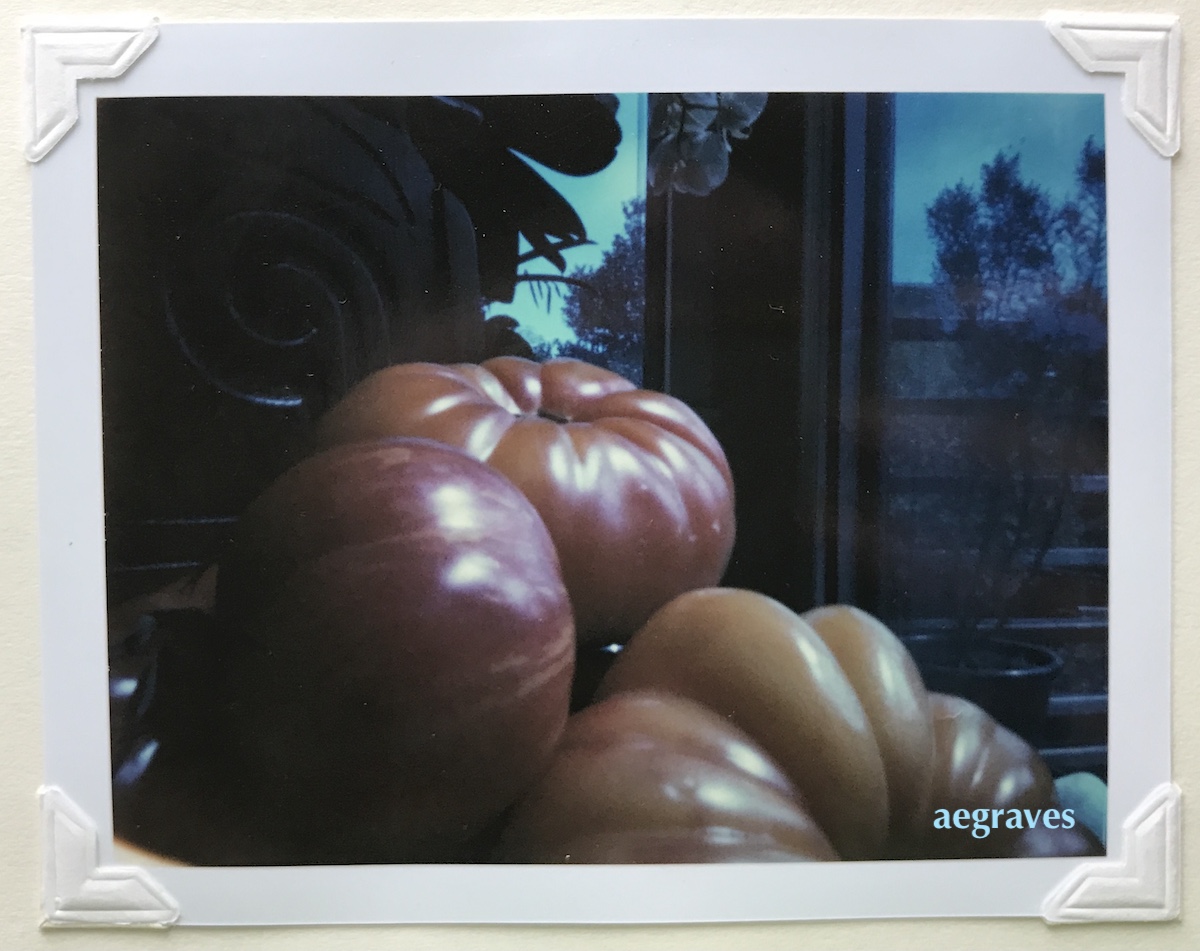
{"x": 995, "y": 440}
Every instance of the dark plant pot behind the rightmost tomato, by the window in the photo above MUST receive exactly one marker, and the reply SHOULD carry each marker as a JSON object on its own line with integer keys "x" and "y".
{"x": 1010, "y": 680}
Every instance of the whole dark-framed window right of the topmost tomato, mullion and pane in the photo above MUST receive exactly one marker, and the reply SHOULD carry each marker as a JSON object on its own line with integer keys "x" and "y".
{"x": 925, "y": 442}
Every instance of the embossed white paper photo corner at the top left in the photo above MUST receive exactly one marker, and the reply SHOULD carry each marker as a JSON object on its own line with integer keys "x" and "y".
{"x": 57, "y": 58}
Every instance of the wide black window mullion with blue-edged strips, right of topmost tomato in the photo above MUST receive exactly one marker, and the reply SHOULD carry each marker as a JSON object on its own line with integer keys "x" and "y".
{"x": 777, "y": 280}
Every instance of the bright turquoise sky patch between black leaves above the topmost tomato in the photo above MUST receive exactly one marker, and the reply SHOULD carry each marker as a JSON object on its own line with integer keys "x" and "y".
{"x": 599, "y": 200}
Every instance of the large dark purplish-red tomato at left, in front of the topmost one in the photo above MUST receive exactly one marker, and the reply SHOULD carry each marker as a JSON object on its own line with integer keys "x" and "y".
{"x": 404, "y": 649}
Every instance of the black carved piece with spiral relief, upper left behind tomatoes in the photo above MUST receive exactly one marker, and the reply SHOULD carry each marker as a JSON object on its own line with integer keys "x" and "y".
{"x": 260, "y": 256}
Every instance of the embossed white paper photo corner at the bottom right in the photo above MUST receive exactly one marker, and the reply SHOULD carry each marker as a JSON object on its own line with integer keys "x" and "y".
{"x": 1143, "y": 884}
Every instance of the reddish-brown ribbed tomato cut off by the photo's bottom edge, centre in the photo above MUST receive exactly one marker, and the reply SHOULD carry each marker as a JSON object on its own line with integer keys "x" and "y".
{"x": 653, "y": 779}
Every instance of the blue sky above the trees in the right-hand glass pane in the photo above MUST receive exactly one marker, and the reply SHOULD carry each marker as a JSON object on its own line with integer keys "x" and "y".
{"x": 946, "y": 139}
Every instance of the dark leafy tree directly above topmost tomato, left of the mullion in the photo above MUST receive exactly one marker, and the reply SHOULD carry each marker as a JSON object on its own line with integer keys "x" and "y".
{"x": 607, "y": 306}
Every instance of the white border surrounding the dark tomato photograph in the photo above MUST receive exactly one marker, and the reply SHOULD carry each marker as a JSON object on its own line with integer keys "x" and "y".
{"x": 464, "y": 58}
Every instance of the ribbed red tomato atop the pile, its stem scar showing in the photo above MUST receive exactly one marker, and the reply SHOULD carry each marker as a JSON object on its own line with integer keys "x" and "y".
{"x": 633, "y": 487}
